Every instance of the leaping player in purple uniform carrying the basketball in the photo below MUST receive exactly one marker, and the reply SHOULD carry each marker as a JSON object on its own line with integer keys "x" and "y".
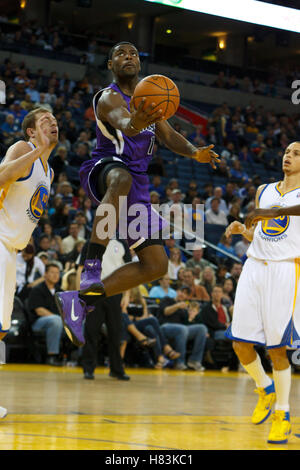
{"x": 125, "y": 140}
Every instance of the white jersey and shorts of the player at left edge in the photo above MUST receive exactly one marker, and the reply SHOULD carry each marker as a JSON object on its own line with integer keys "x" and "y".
{"x": 21, "y": 206}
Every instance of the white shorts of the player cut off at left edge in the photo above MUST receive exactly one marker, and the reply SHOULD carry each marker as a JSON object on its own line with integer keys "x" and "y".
{"x": 7, "y": 285}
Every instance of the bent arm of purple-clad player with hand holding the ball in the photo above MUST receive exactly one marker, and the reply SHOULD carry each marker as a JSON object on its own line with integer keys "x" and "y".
{"x": 112, "y": 108}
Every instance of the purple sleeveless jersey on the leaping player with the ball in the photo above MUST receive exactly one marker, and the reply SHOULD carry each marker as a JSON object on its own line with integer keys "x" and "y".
{"x": 135, "y": 151}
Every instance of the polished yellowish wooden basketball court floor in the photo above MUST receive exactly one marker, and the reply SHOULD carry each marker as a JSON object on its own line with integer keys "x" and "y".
{"x": 55, "y": 408}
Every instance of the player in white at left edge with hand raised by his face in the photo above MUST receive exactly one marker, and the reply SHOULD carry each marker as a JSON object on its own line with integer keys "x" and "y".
{"x": 25, "y": 180}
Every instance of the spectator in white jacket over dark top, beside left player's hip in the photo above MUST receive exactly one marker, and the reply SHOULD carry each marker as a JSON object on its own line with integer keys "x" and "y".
{"x": 30, "y": 271}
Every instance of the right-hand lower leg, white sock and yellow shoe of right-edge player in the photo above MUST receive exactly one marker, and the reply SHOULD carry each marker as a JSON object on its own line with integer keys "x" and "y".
{"x": 281, "y": 426}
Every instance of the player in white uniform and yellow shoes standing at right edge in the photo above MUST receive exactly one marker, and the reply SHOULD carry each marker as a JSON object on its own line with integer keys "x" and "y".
{"x": 267, "y": 302}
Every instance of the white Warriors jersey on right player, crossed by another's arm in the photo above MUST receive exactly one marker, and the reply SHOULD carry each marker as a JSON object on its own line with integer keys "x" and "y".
{"x": 277, "y": 239}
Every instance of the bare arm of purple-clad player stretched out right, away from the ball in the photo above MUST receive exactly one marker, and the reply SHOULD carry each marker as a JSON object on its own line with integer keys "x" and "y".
{"x": 179, "y": 144}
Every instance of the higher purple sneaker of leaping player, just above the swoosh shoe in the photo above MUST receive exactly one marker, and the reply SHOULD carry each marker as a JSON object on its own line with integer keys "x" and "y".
{"x": 90, "y": 283}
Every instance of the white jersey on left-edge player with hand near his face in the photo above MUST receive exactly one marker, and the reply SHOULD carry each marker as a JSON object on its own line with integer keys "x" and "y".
{"x": 22, "y": 204}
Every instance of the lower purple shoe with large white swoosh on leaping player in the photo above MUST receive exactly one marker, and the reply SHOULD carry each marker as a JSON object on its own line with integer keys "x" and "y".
{"x": 73, "y": 311}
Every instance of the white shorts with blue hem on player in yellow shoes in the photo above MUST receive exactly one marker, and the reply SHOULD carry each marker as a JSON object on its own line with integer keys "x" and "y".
{"x": 267, "y": 304}
